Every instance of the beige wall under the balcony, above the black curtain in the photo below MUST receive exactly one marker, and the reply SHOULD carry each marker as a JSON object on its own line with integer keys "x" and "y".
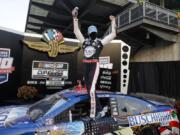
{"x": 159, "y": 53}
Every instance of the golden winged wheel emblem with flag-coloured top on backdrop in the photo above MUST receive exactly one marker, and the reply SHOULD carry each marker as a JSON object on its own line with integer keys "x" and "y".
{"x": 53, "y": 43}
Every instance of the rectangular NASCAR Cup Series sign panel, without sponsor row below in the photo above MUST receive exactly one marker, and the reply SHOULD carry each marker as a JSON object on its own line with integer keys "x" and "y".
{"x": 50, "y": 70}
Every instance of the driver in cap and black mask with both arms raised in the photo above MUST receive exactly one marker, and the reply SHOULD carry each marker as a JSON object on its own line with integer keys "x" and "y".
{"x": 92, "y": 47}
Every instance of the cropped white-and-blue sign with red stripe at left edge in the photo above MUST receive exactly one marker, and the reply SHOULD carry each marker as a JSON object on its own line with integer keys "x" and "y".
{"x": 5, "y": 64}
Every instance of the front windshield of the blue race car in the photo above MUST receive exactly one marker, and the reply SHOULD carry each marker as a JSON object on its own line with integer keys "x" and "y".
{"x": 46, "y": 105}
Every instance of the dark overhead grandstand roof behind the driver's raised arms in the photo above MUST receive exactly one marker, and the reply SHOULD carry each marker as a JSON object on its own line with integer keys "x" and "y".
{"x": 56, "y": 14}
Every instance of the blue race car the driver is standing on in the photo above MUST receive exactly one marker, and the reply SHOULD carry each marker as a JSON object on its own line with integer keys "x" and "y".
{"x": 67, "y": 113}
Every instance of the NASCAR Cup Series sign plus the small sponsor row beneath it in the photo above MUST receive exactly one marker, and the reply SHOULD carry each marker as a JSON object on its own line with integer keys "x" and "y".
{"x": 51, "y": 74}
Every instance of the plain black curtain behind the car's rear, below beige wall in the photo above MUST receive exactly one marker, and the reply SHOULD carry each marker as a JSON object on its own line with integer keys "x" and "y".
{"x": 162, "y": 78}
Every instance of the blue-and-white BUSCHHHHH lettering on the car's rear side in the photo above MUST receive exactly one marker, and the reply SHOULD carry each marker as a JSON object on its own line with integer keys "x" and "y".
{"x": 149, "y": 118}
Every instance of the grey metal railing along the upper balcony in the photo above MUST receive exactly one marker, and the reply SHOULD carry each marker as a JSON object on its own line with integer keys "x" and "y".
{"x": 146, "y": 10}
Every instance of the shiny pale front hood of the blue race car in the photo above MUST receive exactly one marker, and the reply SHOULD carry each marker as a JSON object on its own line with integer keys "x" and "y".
{"x": 9, "y": 114}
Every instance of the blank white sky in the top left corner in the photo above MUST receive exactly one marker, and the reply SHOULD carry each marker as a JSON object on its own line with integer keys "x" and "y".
{"x": 13, "y": 14}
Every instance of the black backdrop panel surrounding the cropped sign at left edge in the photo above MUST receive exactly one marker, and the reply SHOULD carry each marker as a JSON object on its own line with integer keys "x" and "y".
{"x": 12, "y": 41}
